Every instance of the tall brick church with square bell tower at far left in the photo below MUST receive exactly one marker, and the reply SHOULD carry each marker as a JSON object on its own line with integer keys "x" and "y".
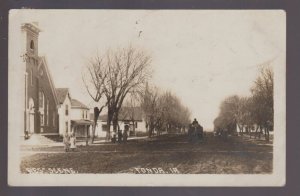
{"x": 41, "y": 102}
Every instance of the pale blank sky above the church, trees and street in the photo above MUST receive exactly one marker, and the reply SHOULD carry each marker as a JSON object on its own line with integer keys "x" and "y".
{"x": 201, "y": 56}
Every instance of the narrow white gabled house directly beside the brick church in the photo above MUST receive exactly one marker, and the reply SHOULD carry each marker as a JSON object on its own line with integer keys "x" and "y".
{"x": 64, "y": 110}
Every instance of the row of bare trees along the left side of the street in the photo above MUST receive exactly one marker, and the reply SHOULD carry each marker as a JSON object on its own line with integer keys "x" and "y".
{"x": 112, "y": 76}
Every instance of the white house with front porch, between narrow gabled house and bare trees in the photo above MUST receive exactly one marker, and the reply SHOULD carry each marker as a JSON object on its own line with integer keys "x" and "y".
{"x": 80, "y": 122}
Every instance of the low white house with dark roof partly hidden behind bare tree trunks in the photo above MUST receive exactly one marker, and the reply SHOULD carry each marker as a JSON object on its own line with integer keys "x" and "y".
{"x": 128, "y": 116}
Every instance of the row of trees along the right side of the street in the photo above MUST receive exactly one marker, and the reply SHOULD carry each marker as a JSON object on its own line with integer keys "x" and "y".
{"x": 253, "y": 113}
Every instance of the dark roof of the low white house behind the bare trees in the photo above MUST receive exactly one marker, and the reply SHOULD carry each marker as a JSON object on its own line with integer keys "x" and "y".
{"x": 126, "y": 114}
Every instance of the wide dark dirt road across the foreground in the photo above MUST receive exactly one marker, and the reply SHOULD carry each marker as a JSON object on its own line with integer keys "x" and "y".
{"x": 166, "y": 154}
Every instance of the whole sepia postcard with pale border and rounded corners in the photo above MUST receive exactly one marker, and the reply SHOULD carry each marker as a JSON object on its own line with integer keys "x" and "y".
{"x": 147, "y": 97}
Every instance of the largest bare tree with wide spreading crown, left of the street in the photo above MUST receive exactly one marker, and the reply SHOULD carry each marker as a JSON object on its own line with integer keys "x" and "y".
{"x": 115, "y": 74}
